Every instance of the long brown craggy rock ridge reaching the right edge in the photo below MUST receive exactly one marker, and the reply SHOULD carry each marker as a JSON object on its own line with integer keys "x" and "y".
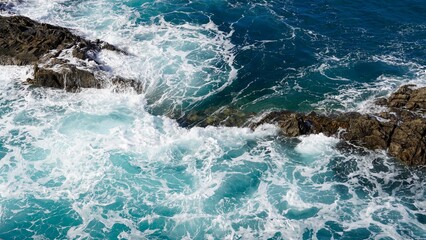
{"x": 401, "y": 130}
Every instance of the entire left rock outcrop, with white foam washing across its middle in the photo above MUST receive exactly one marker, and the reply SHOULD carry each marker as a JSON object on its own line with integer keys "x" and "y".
{"x": 61, "y": 58}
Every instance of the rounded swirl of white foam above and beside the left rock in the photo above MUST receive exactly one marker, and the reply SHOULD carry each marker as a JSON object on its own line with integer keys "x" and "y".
{"x": 178, "y": 64}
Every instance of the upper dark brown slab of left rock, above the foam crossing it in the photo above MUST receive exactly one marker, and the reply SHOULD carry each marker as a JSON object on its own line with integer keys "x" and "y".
{"x": 25, "y": 41}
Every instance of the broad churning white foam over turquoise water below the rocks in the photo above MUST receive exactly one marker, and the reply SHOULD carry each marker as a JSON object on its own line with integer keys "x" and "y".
{"x": 95, "y": 149}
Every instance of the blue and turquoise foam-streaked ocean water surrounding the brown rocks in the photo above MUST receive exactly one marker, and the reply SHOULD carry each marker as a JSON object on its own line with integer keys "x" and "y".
{"x": 103, "y": 165}
